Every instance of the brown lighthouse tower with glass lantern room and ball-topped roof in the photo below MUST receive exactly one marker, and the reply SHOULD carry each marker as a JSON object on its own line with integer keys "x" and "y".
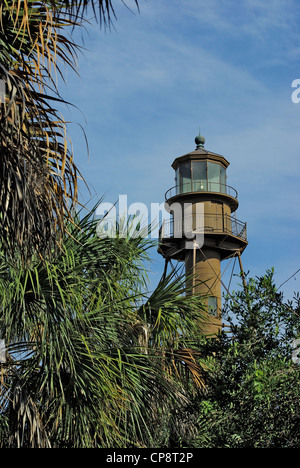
{"x": 203, "y": 229}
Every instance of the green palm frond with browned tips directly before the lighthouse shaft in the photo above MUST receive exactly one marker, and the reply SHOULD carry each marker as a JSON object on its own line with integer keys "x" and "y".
{"x": 173, "y": 320}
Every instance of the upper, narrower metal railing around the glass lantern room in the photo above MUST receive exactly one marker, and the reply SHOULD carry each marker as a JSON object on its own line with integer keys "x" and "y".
{"x": 198, "y": 187}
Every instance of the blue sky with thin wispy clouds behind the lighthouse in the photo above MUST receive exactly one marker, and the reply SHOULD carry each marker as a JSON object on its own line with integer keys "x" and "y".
{"x": 227, "y": 66}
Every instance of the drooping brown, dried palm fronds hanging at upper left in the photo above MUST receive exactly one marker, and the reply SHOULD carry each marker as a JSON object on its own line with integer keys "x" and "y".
{"x": 38, "y": 175}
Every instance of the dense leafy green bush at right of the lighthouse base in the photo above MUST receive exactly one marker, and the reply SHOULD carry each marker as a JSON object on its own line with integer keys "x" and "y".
{"x": 252, "y": 398}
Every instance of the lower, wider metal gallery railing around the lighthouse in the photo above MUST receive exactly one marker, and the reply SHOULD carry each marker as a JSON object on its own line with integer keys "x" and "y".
{"x": 218, "y": 223}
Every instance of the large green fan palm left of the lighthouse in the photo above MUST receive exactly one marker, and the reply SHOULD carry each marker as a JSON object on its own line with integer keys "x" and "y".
{"x": 92, "y": 358}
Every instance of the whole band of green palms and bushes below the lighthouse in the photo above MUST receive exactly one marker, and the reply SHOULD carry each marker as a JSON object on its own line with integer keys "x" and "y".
{"x": 93, "y": 362}
